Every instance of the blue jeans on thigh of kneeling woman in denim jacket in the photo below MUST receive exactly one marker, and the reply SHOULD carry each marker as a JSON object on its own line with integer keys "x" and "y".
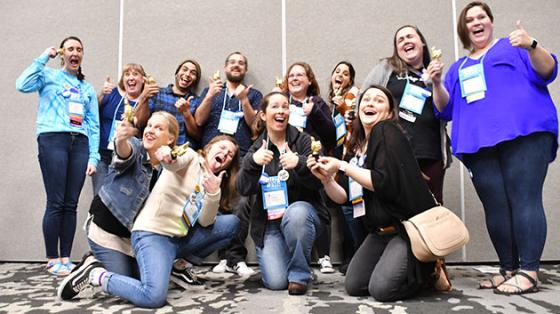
{"x": 115, "y": 261}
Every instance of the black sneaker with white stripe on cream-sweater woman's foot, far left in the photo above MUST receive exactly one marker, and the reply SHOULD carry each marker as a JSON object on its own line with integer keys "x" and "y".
{"x": 78, "y": 278}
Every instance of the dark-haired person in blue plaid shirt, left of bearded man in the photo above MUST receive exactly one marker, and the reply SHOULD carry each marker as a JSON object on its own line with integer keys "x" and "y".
{"x": 175, "y": 99}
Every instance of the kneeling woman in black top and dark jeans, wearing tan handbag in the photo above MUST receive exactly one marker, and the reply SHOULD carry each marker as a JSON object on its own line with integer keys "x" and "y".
{"x": 384, "y": 185}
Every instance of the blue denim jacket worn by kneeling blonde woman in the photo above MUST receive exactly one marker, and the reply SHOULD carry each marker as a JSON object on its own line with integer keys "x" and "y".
{"x": 127, "y": 184}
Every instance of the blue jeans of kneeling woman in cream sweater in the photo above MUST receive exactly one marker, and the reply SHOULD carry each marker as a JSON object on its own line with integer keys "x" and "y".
{"x": 155, "y": 254}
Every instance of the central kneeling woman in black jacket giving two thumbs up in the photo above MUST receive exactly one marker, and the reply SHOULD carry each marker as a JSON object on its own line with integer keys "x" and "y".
{"x": 288, "y": 211}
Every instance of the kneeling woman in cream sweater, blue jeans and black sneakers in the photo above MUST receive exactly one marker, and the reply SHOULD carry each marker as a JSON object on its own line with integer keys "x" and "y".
{"x": 178, "y": 219}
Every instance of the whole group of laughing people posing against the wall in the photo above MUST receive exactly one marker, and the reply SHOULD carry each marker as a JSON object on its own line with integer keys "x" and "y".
{"x": 186, "y": 175}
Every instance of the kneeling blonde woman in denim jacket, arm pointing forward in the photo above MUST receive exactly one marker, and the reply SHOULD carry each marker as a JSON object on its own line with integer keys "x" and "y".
{"x": 125, "y": 191}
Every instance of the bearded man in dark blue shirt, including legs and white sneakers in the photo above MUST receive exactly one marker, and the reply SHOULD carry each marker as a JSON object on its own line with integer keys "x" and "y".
{"x": 230, "y": 107}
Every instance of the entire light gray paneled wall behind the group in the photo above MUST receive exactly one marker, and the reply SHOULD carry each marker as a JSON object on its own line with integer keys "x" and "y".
{"x": 158, "y": 34}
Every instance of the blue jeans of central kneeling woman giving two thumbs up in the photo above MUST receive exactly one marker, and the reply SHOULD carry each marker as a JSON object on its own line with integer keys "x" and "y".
{"x": 286, "y": 251}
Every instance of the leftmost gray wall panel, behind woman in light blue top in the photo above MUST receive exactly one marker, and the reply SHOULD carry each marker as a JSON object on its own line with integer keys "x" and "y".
{"x": 30, "y": 27}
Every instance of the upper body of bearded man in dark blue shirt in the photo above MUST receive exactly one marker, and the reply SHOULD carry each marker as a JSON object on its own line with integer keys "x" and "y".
{"x": 228, "y": 107}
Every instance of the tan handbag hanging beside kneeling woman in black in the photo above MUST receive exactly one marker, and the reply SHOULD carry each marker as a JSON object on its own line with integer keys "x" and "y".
{"x": 435, "y": 233}
